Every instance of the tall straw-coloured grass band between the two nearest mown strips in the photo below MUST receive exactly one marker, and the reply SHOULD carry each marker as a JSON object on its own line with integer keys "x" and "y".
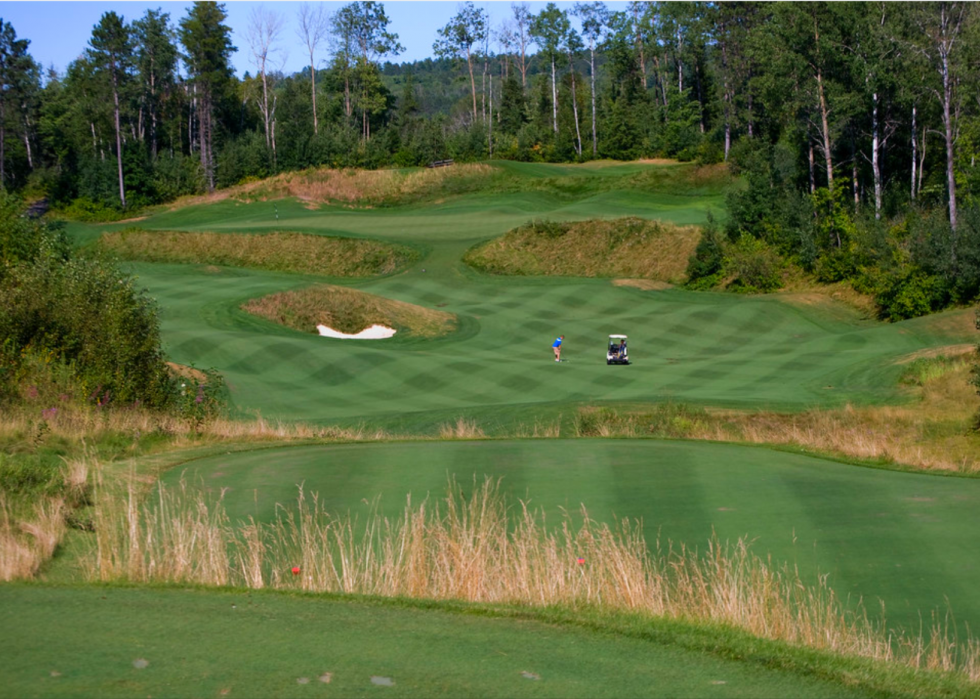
{"x": 480, "y": 548}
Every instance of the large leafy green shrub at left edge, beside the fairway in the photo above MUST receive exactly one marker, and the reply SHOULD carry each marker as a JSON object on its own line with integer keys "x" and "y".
{"x": 79, "y": 314}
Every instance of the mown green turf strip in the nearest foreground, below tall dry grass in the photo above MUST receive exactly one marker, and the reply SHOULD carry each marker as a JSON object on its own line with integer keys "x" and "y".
{"x": 216, "y": 644}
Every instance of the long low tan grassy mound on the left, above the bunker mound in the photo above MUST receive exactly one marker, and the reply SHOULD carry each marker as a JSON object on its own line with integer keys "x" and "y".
{"x": 278, "y": 252}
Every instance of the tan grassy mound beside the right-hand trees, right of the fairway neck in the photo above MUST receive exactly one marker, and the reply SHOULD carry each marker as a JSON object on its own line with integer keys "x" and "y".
{"x": 626, "y": 247}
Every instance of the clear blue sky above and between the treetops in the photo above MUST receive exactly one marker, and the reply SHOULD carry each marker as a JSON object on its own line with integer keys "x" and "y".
{"x": 59, "y": 31}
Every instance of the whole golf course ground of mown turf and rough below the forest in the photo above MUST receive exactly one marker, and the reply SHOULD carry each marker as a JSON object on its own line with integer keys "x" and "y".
{"x": 491, "y": 598}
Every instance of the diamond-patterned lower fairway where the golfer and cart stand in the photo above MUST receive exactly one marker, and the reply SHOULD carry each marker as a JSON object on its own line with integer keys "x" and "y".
{"x": 684, "y": 346}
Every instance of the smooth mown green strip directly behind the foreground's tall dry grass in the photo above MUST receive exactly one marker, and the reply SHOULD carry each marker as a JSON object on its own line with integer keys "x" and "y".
{"x": 907, "y": 539}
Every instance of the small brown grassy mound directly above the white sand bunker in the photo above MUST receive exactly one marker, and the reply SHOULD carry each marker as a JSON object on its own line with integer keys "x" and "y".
{"x": 349, "y": 311}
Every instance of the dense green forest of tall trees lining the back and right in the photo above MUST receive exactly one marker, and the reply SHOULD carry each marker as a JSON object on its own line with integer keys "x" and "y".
{"x": 854, "y": 126}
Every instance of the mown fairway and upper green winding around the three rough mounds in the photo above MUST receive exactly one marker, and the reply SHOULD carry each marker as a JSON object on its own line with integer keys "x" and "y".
{"x": 707, "y": 348}
